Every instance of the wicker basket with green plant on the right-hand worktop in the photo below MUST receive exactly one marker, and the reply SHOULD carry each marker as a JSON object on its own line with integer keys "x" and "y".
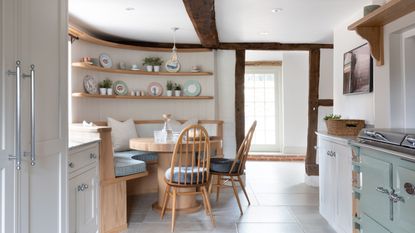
{"x": 343, "y": 127}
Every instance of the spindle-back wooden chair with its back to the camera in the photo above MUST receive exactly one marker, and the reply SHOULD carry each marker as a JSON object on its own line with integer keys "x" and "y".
{"x": 189, "y": 169}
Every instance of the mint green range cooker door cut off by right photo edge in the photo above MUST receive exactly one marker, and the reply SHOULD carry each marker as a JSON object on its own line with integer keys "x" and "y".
{"x": 404, "y": 210}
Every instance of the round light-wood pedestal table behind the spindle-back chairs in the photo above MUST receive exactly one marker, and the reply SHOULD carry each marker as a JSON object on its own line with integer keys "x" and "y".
{"x": 184, "y": 203}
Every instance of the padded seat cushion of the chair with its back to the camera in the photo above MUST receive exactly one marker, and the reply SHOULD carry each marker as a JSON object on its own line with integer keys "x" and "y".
{"x": 183, "y": 176}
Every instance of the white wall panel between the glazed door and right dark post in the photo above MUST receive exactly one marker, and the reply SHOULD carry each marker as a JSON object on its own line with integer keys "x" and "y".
{"x": 295, "y": 101}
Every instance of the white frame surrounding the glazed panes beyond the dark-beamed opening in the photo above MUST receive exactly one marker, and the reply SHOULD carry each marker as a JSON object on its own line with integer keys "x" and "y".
{"x": 277, "y": 71}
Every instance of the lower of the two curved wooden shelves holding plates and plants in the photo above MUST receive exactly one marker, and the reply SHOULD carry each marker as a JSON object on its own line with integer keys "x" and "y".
{"x": 85, "y": 95}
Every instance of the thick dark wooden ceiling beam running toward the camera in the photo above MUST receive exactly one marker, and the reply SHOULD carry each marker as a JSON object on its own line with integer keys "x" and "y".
{"x": 202, "y": 15}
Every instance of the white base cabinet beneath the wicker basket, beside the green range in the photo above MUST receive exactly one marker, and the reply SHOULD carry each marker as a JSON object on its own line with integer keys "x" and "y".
{"x": 335, "y": 164}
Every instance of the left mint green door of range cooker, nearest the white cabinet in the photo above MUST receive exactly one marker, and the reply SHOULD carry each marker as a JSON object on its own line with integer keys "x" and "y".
{"x": 376, "y": 174}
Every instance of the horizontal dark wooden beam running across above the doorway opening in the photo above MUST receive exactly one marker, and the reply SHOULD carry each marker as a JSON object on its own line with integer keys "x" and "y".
{"x": 273, "y": 46}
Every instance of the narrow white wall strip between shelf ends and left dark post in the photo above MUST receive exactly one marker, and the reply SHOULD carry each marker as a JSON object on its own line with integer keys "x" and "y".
{"x": 225, "y": 73}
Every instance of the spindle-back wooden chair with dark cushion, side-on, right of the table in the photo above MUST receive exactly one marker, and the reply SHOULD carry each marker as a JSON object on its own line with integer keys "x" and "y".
{"x": 230, "y": 170}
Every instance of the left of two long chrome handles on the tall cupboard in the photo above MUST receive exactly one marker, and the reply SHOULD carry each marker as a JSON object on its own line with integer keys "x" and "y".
{"x": 18, "y": 155}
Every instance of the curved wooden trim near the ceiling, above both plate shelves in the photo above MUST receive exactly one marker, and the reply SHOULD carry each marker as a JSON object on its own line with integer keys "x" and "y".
{"x": 75, "y": 32}
